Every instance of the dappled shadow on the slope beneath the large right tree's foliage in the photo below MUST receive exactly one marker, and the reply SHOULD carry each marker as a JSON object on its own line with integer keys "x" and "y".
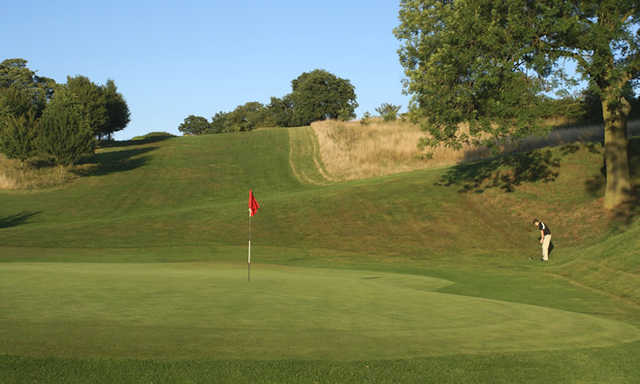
{"x": 505, "y": 172}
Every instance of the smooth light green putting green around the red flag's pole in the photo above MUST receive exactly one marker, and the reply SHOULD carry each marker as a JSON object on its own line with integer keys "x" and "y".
{"x": 187, "y": 310}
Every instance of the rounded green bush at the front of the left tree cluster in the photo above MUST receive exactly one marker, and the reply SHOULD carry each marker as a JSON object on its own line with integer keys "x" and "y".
{"x": 66, "y": 134}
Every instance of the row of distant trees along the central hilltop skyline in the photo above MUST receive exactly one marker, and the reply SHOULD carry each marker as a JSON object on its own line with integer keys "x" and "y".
{"x": 315, "y": 95}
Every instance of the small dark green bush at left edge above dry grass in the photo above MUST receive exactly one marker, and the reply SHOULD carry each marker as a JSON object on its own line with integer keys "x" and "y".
{"x": 18, "y": 136}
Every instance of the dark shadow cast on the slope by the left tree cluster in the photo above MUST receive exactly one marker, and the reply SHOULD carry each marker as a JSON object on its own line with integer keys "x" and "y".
{"x": 105, "y": 163}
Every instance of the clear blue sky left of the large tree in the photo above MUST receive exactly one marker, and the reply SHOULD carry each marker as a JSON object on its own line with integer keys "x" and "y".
{"x": 171, "y": 59}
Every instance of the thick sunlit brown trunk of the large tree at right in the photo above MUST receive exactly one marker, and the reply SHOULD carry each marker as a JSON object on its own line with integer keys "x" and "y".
{"x": 615, "y": 111}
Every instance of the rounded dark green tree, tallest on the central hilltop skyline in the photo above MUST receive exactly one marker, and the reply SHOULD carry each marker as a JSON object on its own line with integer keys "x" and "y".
{"x": 320, "y": 95}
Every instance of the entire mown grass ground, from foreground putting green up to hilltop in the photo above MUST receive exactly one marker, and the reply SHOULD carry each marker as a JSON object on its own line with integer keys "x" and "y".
{"x": 413, "y": 277}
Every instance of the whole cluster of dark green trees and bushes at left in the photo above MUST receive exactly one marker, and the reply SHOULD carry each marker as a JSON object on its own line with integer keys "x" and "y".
{"x": 56, "y": 122}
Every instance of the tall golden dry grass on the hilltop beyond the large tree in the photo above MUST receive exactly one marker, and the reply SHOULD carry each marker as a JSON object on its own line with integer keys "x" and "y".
{"x": 351, "y": 150}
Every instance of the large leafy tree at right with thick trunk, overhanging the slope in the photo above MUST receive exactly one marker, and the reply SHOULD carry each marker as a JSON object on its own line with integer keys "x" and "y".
{"x": 487, "y": 63}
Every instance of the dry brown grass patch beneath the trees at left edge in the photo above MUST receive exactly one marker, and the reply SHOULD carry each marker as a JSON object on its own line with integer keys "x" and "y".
{"x": 15, "y": 175}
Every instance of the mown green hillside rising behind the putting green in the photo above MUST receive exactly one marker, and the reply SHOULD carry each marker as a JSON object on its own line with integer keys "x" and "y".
{"x": 191, "y": 192}
